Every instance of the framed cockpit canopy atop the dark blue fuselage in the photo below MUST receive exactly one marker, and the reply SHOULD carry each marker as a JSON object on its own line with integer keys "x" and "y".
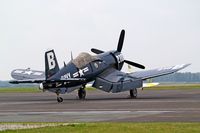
{"x": 83, "y": 59}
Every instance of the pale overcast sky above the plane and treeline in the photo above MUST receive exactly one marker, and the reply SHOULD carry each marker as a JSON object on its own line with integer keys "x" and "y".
{"x": 158, "y": 33}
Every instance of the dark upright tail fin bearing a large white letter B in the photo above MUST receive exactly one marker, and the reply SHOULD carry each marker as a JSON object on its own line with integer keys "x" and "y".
{"x": 51, "y": 64}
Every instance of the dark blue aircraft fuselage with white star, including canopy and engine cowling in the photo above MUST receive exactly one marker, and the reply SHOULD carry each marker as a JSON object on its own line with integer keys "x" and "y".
{"x": 87, "y": 67}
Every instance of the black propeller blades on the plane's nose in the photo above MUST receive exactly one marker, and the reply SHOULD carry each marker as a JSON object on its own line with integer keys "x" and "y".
{"x": 119, "y": 49}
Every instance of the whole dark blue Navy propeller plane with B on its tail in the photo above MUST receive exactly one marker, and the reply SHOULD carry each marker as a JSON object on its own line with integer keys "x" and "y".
{"x": 103, "y": 69}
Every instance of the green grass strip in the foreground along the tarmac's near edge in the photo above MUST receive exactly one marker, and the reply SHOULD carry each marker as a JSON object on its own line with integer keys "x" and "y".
{"x": 154, "y": 127}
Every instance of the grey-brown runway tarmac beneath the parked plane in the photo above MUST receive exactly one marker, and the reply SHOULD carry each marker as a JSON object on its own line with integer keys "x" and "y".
{"x": 151, "y": 105}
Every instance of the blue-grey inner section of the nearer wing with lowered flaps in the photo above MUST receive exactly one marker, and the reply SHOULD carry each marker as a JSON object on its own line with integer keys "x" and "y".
{"x": 113, "y": 80}
